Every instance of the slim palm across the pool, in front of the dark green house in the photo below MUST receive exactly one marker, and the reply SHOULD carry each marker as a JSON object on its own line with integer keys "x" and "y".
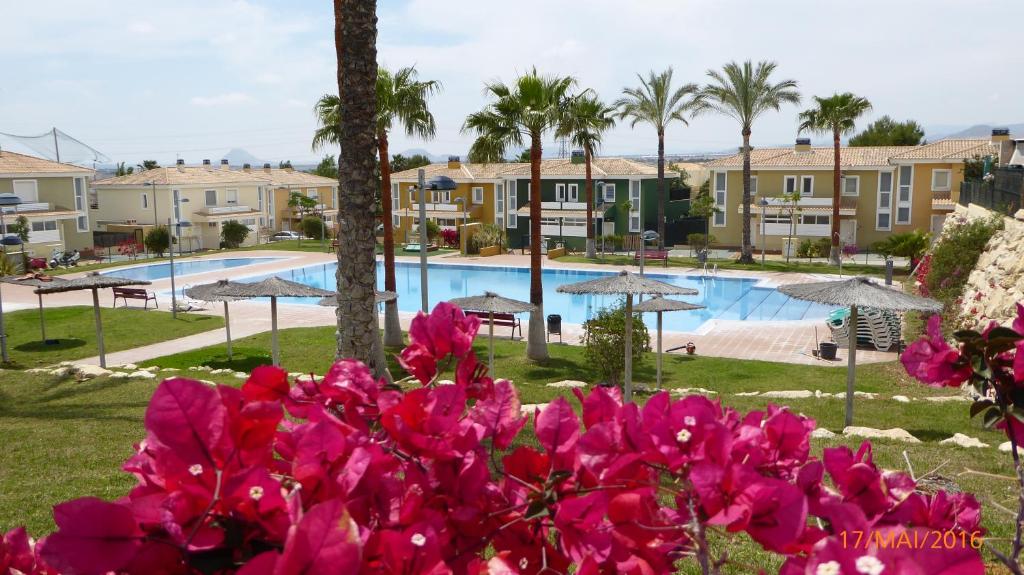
{"x": 585, "y": 121}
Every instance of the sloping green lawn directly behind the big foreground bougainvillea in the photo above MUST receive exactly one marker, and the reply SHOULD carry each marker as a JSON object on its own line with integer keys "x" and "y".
{"x": 44, "y": 420}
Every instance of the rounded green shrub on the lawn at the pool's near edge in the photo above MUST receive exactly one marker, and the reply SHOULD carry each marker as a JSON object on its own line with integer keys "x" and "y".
{"x": 605, "y": 340}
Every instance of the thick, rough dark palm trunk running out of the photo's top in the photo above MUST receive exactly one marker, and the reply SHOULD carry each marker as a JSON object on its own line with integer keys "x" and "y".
{"x": 356, "y": 43}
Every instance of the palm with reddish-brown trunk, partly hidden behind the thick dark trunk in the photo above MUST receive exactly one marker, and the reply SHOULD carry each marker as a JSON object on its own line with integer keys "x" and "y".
{"x": 402, "y": 99}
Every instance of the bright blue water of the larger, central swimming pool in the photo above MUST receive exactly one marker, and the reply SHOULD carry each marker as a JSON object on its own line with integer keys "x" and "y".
{"x": 723, "y": 298}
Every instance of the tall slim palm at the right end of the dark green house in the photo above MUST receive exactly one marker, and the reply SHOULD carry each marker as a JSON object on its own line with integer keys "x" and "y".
{"x": 657, "y": 104}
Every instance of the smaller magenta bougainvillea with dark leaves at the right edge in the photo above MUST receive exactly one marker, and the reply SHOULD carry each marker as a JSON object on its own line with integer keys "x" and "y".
{"x": 993, "y": 363}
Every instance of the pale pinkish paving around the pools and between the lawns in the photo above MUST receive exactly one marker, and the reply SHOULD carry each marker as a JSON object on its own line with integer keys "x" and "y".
{"x": 782, "y": 341}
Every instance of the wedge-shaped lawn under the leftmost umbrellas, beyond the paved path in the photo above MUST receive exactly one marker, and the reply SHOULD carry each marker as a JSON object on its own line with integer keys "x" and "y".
{"x": 73, "y": 328}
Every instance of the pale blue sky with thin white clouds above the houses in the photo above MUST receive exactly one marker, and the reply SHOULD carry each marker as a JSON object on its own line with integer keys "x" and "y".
{"x": 194, "y": 78}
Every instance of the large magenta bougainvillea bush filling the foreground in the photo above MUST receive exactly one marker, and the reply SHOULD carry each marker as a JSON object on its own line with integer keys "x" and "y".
{"x": 364, "y": 477}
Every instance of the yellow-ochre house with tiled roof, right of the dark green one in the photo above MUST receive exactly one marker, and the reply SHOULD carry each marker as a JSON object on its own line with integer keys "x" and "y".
{"x": 884, "y": 191}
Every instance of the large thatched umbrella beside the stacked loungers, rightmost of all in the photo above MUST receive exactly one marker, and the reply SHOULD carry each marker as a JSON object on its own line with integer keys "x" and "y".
{"x": 855, "y": 293}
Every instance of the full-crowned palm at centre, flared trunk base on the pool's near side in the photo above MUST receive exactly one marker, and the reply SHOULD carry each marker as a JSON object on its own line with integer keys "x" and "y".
{"x": 521, "y": 113}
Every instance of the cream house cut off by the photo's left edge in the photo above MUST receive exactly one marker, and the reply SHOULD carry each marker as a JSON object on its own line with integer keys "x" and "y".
{"x": 54, "y": 200}
